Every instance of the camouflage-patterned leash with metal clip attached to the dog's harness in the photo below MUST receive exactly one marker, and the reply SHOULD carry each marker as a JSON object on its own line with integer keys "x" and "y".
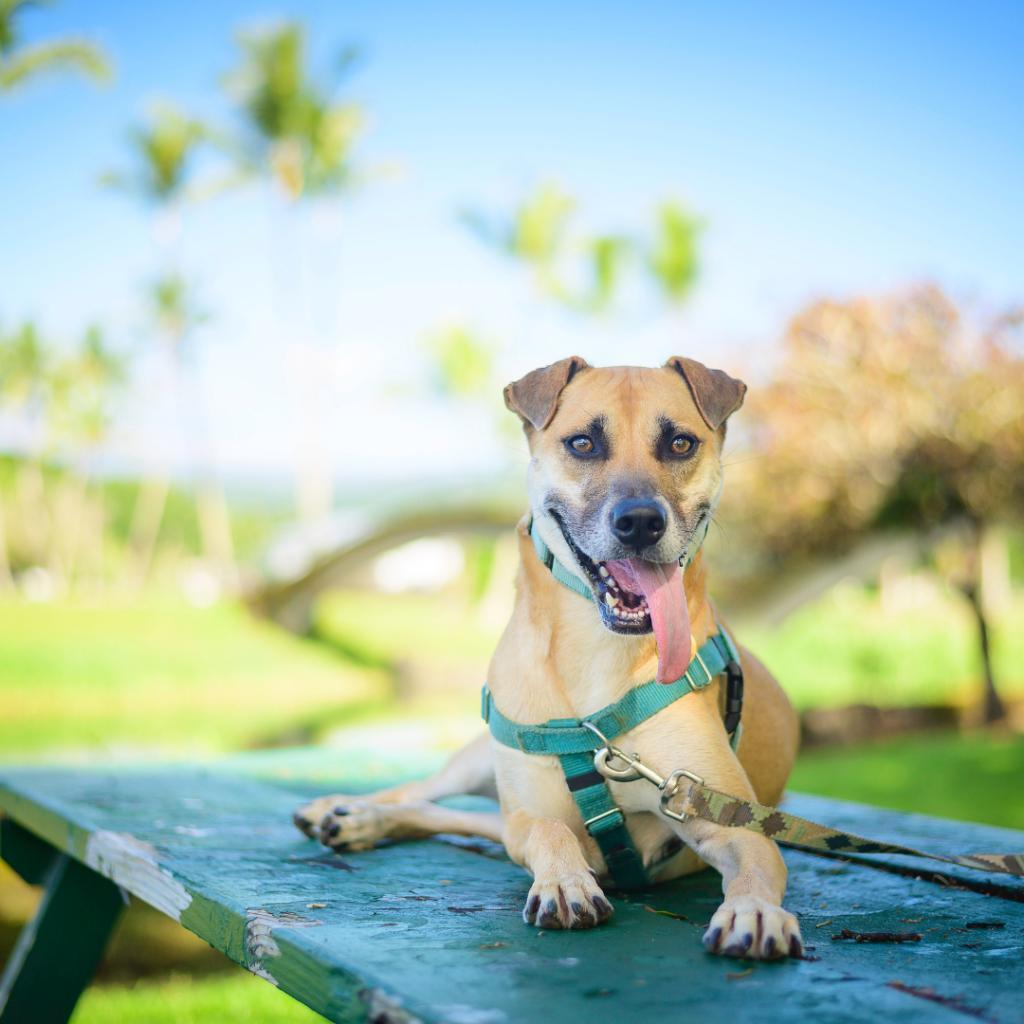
{"x": 686, "y": 796}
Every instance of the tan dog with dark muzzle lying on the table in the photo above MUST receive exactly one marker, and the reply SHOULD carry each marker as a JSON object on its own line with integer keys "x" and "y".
{"x": 625, "y": 475}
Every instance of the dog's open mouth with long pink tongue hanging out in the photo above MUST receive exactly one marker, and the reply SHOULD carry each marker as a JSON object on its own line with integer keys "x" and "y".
{"x": 635, "y": 596}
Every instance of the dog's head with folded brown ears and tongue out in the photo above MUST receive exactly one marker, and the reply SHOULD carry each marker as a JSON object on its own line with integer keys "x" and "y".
{"x": 625, "y": 477}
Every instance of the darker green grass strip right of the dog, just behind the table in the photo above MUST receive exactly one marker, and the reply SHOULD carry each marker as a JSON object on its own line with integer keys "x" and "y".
{"x": 970, "y": 778}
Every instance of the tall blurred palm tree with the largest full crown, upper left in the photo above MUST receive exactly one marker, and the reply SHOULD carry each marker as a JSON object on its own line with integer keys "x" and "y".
{"x": 301, "y": 137}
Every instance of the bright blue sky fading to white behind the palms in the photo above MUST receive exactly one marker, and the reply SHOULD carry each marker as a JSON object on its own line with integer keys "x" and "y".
{"x": 830, "y": 149}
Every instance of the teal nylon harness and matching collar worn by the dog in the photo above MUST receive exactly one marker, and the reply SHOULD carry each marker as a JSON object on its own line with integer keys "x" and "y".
{"x": 575, "y": 742}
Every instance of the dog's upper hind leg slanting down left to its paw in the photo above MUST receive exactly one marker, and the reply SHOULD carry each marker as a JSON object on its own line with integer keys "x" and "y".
{"x": 468, "y": 772}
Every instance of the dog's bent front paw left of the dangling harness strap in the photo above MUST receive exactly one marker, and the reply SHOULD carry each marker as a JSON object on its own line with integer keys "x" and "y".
{"x": 565, "y": 893}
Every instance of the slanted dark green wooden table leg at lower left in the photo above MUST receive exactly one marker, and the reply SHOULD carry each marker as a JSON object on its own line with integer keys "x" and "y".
{"x": 59, "y": 951}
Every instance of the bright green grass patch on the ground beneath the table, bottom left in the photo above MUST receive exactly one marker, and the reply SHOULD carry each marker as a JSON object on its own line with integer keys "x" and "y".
{"x": 237, "y": 997}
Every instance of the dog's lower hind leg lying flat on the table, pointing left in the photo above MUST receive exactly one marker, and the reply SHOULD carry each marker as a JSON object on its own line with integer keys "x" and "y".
{"x": 365, "y": 825}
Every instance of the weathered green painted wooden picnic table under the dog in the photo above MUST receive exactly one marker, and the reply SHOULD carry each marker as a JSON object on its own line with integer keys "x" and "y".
{"x": 431, "y": 931}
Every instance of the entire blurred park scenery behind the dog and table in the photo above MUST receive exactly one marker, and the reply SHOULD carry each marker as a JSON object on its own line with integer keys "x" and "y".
{"x": 264, "y": 273}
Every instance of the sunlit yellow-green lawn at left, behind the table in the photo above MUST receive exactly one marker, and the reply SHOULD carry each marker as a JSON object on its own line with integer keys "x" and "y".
{"x": 162, "y": 677}
